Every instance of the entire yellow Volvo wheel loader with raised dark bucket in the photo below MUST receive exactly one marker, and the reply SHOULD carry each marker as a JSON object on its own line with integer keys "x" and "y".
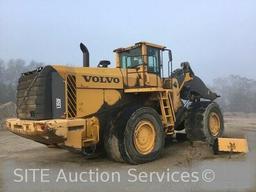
{"x": 127, "y": 111}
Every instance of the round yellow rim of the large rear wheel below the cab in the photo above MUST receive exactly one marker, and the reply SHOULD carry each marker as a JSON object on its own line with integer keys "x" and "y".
{"x": 144, "y": 137}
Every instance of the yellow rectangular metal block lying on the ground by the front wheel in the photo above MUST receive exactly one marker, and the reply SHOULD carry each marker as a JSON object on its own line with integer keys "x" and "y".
{"x": 231, "y": 145}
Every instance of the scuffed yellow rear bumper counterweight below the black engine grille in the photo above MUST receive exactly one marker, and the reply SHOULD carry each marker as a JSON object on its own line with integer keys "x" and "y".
{"x": 75, "y": 133}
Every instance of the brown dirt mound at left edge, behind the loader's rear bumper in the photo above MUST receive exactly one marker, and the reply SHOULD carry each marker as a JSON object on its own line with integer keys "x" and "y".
{"x": 7, "y": 110}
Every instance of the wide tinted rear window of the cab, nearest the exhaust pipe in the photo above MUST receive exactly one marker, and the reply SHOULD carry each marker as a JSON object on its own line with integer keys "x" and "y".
{"x": 131, "y": 58}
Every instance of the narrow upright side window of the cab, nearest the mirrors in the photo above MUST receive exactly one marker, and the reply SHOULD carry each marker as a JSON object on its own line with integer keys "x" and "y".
{"x": 153, "y": 60}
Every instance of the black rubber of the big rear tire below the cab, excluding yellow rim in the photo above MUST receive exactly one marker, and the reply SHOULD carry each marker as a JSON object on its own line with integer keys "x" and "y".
{"x": 119, "y": 144}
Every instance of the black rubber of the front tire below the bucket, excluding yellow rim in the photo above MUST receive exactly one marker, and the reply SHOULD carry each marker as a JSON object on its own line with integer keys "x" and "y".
{"x": 197, "y": 123}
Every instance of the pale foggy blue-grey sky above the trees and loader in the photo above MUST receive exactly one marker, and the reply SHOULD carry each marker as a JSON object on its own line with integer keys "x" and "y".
{"x": 217, "y": 37}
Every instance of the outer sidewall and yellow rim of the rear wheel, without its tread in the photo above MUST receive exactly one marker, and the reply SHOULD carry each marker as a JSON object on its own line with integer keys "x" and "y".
{"x": 144, "y": 136}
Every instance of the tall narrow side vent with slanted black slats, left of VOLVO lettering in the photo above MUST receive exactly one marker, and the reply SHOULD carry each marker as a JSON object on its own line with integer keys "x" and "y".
{"x": 71, "y": 96}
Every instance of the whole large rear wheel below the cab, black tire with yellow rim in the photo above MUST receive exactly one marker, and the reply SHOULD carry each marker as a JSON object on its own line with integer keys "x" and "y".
{"x": 137, "y": 136}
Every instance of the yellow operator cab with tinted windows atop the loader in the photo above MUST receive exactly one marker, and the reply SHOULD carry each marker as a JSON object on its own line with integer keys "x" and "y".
{"x": 142, "y": 62}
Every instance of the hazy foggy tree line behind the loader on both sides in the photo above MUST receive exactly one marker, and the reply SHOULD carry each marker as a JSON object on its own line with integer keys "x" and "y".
{"x": 238, "y": 94}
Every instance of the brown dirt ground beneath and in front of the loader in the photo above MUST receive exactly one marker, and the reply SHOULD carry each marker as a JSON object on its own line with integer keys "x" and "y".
{"x": 231, "y": 173}
